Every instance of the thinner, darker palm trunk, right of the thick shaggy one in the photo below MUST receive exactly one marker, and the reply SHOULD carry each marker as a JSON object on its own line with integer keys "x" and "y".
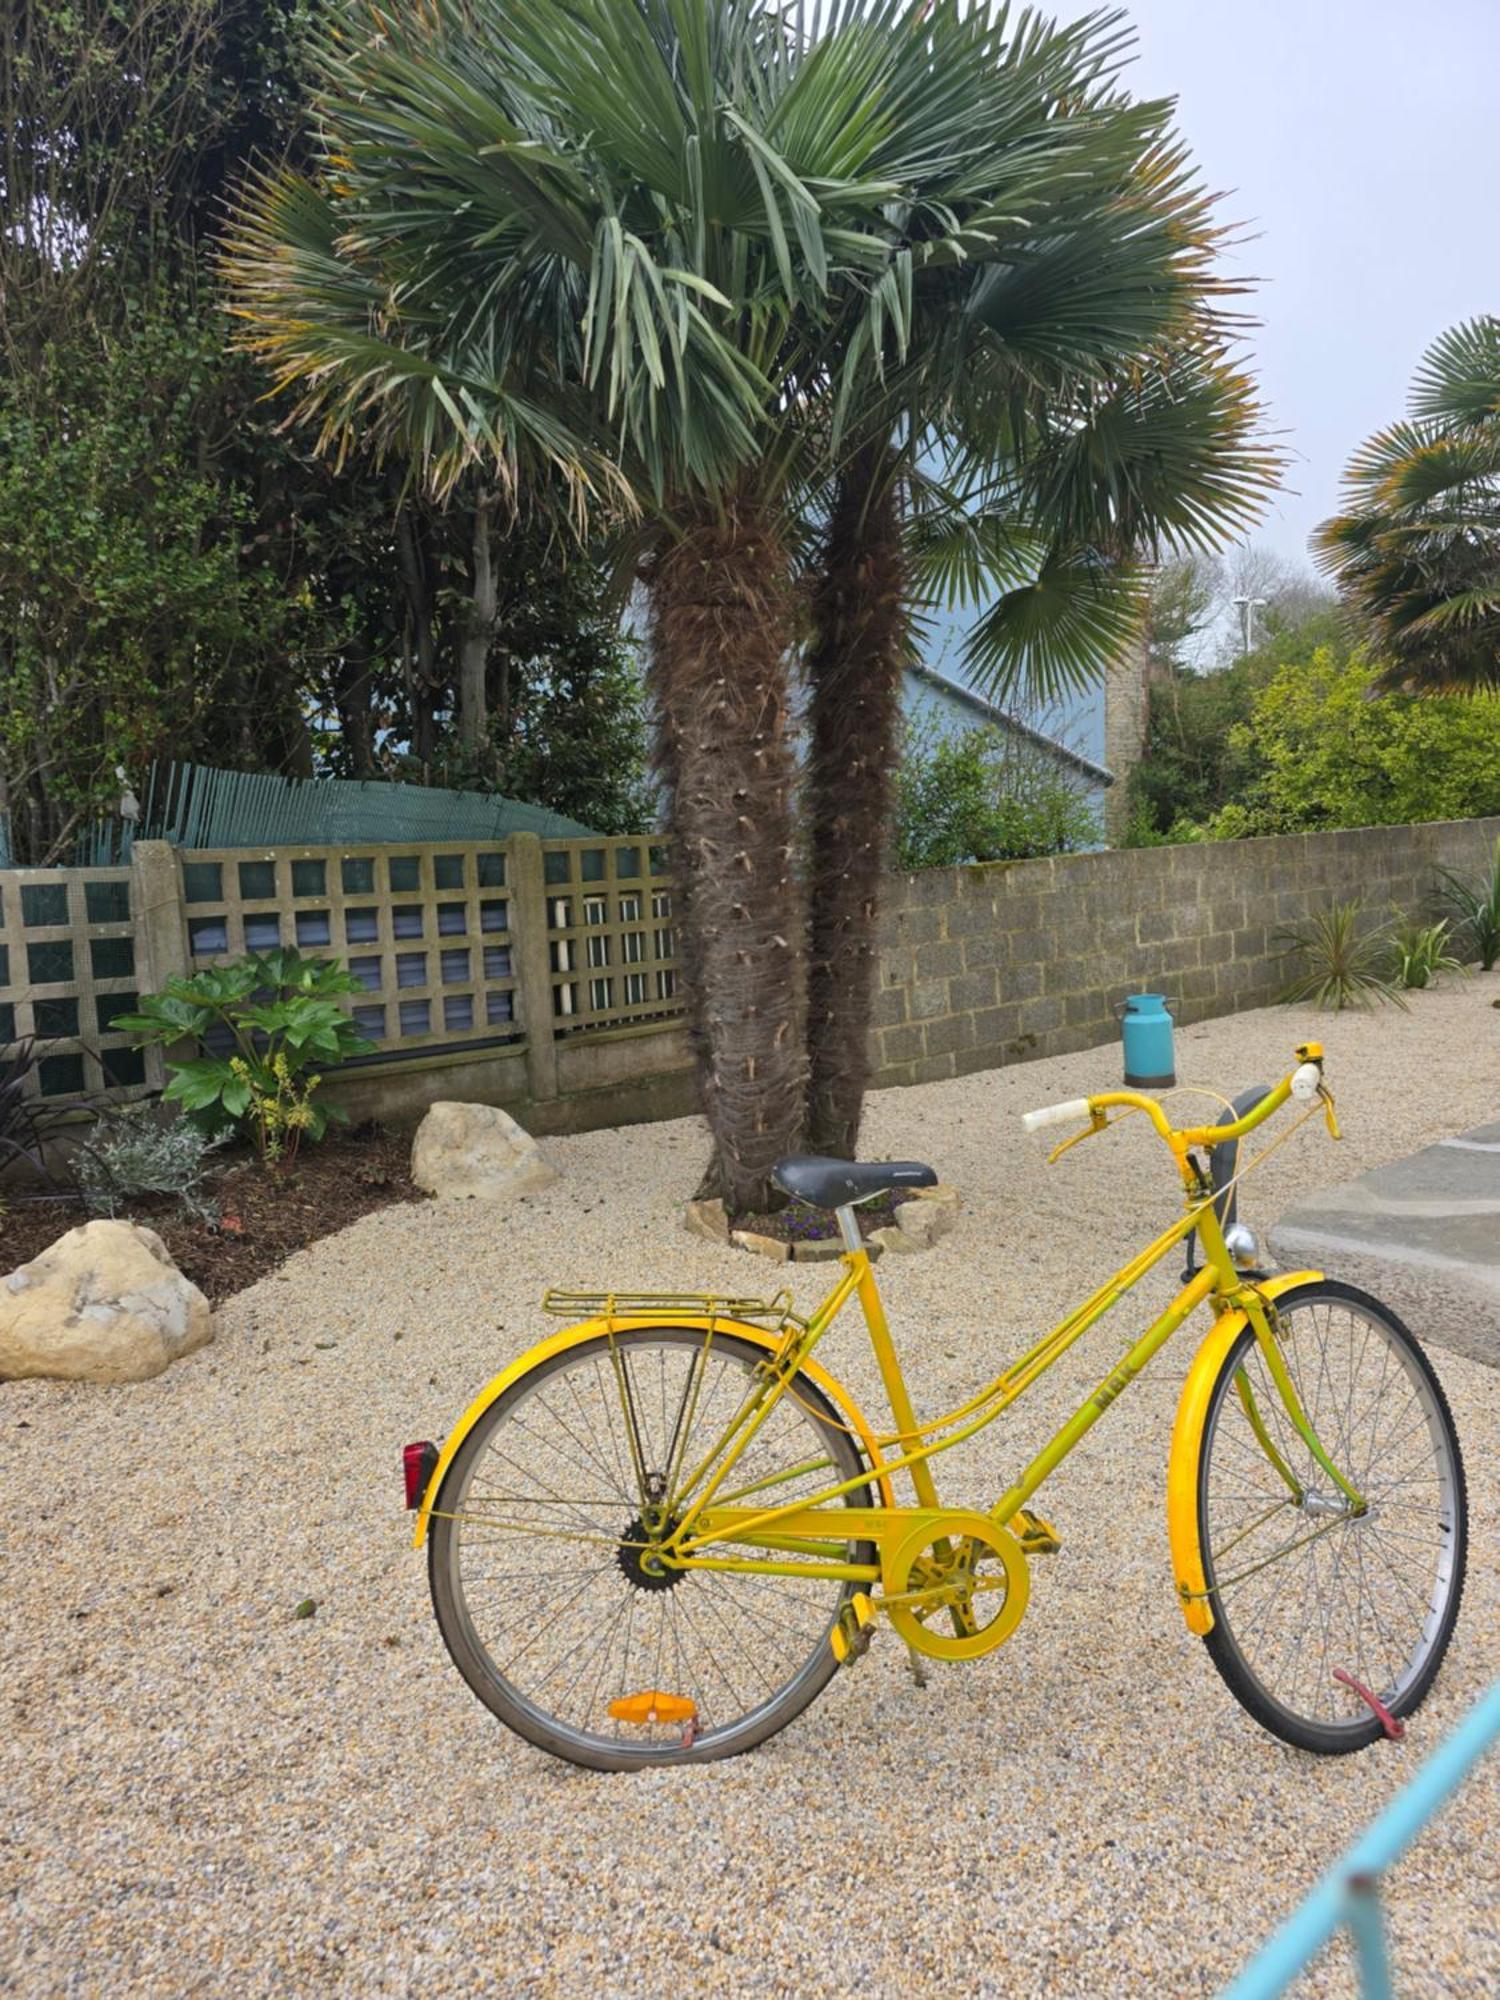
{"x": 855, "y": 671}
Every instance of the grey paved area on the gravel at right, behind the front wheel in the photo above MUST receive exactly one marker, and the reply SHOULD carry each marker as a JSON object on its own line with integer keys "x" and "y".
{"x": 1421, "y": 1233}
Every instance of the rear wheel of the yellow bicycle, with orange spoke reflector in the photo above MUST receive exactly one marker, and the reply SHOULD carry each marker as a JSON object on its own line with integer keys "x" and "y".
{"x": 543, "y": 1525}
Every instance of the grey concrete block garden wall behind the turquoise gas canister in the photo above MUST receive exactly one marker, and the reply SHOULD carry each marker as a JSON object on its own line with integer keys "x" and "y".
{"x": 1009, "y": 961}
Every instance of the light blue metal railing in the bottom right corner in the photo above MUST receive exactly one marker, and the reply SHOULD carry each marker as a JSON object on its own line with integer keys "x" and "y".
{"x": 1351, "y": 1891}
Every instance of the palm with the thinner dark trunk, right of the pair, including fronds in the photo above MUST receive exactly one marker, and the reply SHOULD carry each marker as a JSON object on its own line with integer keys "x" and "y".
{"x": 1061, "y": 405}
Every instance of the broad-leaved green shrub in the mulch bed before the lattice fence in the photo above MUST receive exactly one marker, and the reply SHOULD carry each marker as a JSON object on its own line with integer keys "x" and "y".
{"x": 281, "y": 1017}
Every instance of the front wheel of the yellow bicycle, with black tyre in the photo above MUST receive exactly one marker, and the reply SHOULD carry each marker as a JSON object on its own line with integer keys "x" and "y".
{"x": 1307, "y": 1595}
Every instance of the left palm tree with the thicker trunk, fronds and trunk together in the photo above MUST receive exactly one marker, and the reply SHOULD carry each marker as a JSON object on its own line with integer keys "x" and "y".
{"x": 579, "y": 243}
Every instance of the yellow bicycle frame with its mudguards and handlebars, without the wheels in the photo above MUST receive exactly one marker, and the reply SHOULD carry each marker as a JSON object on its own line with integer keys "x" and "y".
{"x": 701, "y": 1511}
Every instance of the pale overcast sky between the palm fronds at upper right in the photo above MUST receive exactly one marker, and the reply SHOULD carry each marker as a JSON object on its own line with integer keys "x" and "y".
{"x": 1357, "y": 145}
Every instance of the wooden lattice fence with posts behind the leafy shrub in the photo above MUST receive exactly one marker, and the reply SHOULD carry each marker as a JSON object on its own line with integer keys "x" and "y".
{"x": 517, "y": 945}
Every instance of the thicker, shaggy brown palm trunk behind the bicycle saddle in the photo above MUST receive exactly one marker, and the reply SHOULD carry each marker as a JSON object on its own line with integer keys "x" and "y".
{"x": 721, "y": 631}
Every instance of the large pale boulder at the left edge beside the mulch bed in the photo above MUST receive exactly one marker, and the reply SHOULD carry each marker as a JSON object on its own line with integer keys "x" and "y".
{"x": 103, "y": 1305}
